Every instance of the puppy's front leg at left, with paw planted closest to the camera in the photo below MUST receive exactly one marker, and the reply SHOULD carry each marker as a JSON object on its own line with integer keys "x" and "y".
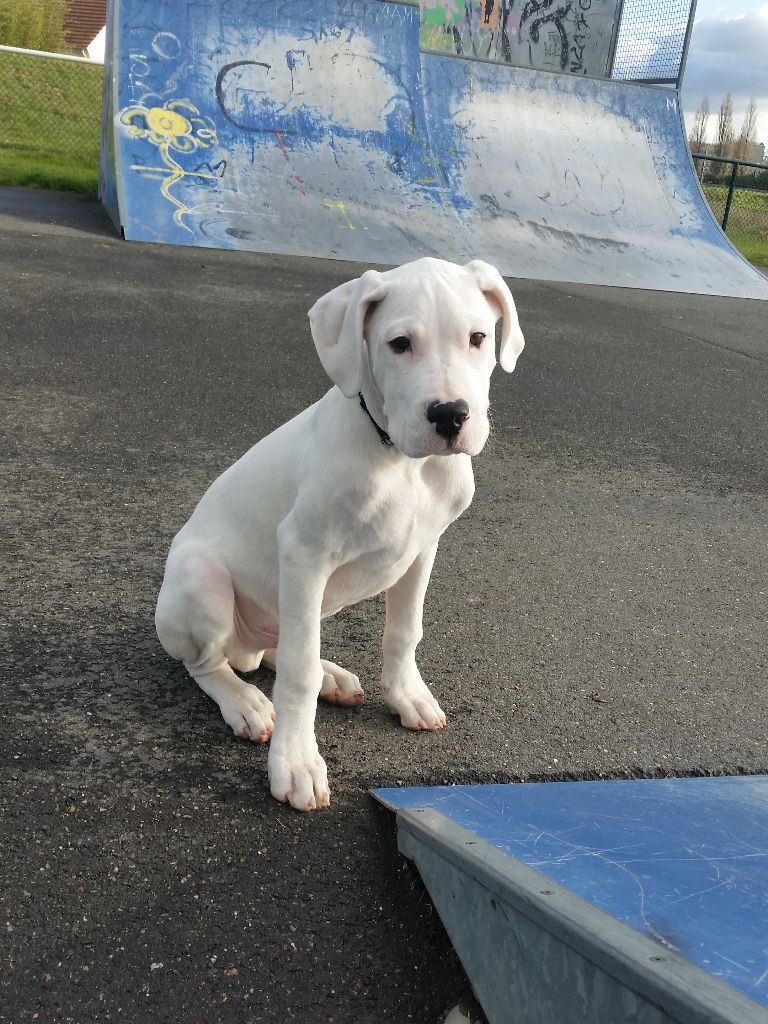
{"x": 297, "y": 773}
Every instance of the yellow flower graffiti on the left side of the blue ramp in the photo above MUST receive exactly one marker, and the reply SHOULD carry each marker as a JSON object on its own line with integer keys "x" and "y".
{"x": 176, "y": 126}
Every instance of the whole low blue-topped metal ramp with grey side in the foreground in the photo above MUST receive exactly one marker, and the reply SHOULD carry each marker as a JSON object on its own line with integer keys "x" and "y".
{"x": 657, "y": 891}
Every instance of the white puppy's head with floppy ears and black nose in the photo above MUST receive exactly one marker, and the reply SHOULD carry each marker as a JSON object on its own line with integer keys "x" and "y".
{"x": 418, "y": 343}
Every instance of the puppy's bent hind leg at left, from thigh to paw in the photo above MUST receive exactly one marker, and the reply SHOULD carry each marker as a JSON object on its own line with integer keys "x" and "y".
{"x": 195, "y": 620}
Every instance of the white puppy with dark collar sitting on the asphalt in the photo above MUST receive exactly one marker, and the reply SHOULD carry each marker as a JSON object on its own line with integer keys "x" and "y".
{"x": 346, "y": 501}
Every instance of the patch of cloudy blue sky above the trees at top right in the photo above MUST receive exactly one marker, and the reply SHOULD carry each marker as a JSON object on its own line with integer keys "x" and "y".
{"x": 729, "y": 54}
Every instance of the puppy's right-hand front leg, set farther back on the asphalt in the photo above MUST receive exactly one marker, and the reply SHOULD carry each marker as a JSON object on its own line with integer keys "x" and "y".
{"x": 406, "y": 694}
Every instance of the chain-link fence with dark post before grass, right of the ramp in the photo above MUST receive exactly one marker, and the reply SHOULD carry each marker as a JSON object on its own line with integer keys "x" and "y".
{"x": 738, "y": 194}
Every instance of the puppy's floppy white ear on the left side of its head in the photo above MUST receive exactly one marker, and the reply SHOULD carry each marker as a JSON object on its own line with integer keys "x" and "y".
{"x": 337, "y": 323}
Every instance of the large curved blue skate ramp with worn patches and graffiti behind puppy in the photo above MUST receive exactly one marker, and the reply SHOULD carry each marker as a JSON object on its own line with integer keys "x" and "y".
{"x": 323, "y": 131}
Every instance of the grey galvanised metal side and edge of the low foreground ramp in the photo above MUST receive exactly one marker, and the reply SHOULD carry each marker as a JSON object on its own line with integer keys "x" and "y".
{"x": 536, "y": 954}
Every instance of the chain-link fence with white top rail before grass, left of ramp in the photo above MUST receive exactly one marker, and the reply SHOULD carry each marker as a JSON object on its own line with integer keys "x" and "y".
{"x": 51, "y": 120}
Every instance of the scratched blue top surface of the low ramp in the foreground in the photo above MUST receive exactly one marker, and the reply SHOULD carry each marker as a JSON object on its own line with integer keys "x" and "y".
{"x": 685, "y": 862}
